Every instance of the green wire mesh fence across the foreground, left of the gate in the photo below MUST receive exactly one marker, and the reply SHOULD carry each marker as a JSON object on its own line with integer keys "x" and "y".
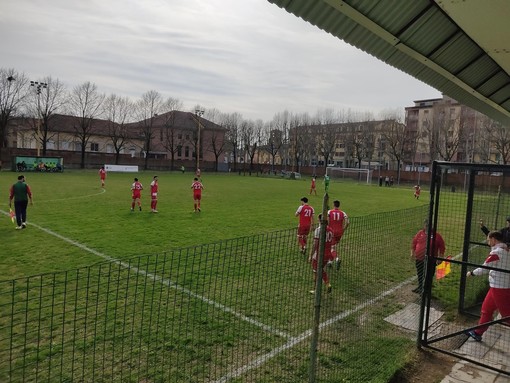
{"x": 233, "y": 311}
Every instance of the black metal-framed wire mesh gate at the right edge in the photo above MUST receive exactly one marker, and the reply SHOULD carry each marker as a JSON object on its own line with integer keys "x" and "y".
{"x": 469, "y": 200}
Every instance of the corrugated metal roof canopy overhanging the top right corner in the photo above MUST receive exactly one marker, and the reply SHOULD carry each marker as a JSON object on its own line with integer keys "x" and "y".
{"x": 460, "y": 48}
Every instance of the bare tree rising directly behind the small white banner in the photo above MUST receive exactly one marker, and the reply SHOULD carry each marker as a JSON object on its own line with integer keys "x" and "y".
{"x": 118, "y": 112}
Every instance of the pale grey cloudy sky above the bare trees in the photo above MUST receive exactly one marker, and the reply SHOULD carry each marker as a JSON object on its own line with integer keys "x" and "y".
{"x": 245, "y": 56}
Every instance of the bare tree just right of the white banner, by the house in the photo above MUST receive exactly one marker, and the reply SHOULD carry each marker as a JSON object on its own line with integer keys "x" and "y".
{"x": 147, "y": 108}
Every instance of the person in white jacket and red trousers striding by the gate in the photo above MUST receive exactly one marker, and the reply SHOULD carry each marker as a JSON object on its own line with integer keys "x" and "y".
{"x": 498, "y": 296}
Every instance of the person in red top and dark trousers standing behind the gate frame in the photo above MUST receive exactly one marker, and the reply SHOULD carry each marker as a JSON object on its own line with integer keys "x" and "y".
{"x": 419, "y": 248}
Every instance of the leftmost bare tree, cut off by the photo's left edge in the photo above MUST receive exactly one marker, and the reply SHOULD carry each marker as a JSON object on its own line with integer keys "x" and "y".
{"x": 13, "y": 91}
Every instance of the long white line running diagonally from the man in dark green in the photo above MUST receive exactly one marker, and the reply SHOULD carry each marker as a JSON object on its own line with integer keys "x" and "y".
{"x": 164, "y": 281}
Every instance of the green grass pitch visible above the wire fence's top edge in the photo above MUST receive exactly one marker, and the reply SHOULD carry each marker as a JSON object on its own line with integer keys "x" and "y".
{"x": 73, "y": 205}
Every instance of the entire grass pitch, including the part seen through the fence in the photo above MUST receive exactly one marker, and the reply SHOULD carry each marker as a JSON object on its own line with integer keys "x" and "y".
{"x": 206, "y": 308}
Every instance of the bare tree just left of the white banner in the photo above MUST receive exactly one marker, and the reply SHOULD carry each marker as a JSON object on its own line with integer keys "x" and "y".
{"x": 85, "y": 103}
